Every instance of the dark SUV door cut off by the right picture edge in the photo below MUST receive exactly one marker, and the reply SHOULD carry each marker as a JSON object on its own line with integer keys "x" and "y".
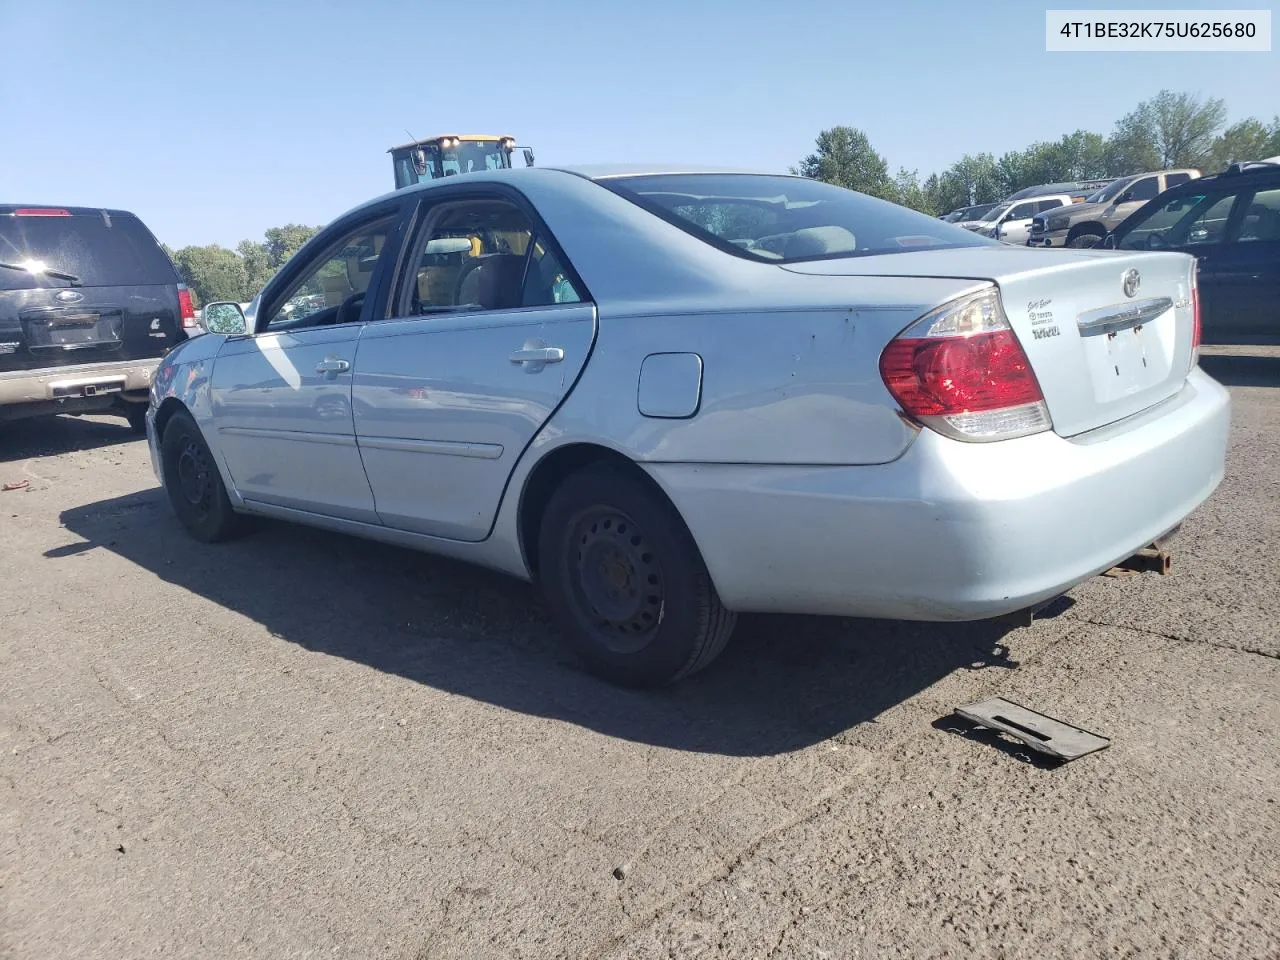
{"x": 1247, "y": 275}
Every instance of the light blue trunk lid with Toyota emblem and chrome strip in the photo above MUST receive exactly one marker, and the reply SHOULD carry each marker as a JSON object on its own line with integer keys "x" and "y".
{"x": 1108, "y": 335}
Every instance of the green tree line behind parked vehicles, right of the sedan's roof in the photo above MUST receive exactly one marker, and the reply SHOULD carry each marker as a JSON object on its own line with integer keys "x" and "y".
{"x": 1171, "y": 130}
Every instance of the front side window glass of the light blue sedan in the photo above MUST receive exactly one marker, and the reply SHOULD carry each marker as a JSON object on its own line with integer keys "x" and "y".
{"x": 332, "y": 290}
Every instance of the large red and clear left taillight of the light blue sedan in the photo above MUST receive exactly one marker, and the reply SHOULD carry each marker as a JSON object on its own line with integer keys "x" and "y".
{"x": 962, "y": 372}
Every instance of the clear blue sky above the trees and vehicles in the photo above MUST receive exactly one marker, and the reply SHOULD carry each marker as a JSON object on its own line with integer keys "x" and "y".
{"x": 214, "y": 121}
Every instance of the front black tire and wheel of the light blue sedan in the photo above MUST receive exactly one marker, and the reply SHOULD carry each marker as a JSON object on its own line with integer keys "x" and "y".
{"x": 194, "y": 484}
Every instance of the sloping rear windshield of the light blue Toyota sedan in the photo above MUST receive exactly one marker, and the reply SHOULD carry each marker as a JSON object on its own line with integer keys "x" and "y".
{"x": 788, "y": 220}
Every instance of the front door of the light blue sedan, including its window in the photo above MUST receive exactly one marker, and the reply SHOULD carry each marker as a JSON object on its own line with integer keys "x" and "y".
{"x": 282, "y": 396}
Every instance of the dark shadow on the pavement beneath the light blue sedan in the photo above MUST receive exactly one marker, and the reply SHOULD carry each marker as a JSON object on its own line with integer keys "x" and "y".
{"x": 784, "y": 683}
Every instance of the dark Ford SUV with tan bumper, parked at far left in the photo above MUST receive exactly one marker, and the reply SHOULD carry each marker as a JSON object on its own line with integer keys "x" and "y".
{"x": 89, "y": 305}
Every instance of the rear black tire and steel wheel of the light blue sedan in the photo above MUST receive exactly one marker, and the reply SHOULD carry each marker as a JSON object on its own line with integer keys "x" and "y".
{"x": 625, "y": 583}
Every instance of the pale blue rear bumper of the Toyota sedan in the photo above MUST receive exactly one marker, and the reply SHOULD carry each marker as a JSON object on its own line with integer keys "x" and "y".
{"x": 953, "y": 531}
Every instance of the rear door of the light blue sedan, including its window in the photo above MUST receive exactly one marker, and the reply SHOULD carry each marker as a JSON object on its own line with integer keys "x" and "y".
{"x": 488, "y": 333}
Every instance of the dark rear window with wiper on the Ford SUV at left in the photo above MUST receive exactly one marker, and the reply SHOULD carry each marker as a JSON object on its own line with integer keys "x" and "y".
{"x": 100, "y": 250}
